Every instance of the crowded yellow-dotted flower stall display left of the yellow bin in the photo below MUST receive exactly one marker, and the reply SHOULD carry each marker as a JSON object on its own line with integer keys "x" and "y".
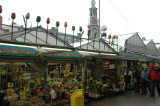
{"x": 25, "y": 84}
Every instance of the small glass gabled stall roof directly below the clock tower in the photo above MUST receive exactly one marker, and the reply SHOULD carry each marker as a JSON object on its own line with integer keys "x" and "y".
{"x": 94, "y": 47}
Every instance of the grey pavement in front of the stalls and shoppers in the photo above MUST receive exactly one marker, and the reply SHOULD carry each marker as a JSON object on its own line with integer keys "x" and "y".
{"x": 128, "y": 99}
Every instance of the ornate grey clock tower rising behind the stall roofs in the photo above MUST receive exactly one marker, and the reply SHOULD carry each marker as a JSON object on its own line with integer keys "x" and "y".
{"x": 93, "y": 23}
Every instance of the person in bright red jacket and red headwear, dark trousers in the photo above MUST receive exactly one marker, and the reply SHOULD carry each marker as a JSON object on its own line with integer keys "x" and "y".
{"x": 152, "y": 78}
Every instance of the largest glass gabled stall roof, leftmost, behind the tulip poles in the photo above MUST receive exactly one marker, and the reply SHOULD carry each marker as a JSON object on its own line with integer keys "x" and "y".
{"x": 38, "y": 37}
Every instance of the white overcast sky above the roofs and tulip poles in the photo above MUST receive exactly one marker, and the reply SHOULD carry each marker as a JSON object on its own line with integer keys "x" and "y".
{"x": 120, "y": 16}
